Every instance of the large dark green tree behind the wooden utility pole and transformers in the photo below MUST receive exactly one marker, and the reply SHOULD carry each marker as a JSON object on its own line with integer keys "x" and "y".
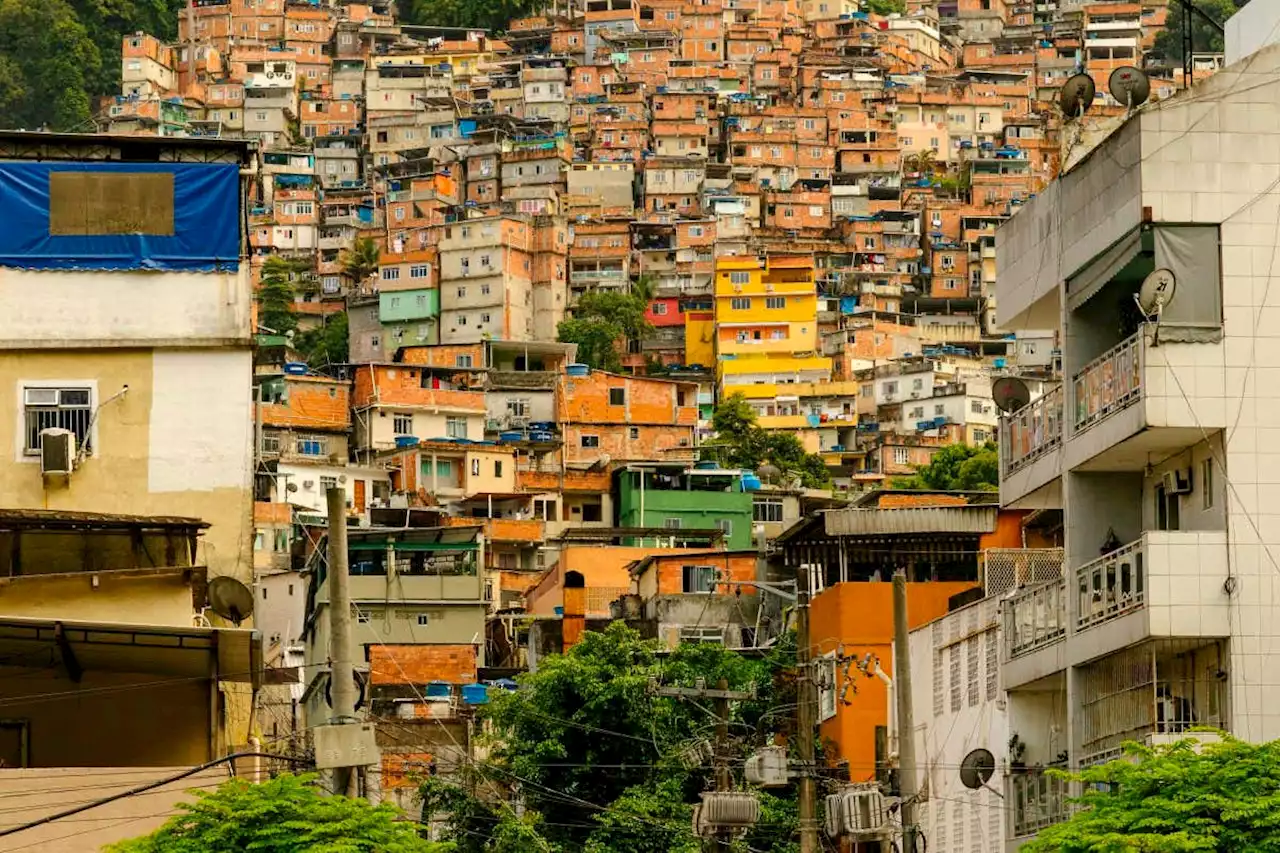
{"x": 604, "y": 765}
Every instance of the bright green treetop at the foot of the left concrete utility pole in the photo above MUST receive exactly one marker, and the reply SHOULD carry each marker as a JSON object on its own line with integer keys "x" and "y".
{"x": 285, "y": 815}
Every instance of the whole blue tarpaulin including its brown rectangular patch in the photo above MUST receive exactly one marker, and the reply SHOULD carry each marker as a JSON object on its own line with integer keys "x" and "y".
{"x": 120, "y": 216}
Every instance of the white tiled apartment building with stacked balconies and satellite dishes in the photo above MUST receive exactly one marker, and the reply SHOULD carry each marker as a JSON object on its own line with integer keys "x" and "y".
{"x": 1159, "y": 445}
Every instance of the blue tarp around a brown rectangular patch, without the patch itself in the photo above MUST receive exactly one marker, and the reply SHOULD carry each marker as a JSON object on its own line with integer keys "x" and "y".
{"x": 205, "y": 234}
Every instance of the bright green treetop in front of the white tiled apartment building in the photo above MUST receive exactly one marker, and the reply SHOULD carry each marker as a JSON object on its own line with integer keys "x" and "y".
{"x": 1220, "y": 799}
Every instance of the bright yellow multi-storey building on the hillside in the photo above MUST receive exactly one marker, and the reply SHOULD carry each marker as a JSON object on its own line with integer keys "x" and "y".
{"x": 767, "y": 325}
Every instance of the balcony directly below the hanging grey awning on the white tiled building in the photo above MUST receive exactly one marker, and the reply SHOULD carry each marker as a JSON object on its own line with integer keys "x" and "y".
{"x": 1141, "y": 399}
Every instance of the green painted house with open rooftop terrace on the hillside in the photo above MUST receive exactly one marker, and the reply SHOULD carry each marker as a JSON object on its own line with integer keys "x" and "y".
{"x": 679, "y": 498}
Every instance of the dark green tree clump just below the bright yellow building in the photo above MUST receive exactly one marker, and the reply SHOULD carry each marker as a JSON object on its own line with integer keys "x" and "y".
{"x": 742, "y": 443}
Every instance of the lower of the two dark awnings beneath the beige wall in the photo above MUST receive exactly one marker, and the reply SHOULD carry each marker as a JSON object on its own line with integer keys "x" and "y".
{"x": 226, "y": 654}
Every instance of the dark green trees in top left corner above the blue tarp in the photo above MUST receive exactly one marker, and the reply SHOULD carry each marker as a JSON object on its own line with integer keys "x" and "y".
{"x": 48, "y": 62}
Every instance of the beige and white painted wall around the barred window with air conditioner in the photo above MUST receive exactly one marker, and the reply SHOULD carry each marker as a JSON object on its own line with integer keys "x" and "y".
{"x": 180, "y": 443}
